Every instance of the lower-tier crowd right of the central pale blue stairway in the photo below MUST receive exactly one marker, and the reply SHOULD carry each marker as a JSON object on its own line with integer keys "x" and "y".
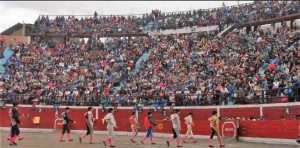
{"x": 193, "y": 69}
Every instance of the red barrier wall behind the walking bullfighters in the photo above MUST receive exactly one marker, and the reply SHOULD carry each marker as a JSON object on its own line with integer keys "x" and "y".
{"x": 287, "y": 129}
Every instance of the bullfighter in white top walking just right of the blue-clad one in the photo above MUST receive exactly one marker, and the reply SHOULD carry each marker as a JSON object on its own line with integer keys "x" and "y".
{"x": 176, "y": 128}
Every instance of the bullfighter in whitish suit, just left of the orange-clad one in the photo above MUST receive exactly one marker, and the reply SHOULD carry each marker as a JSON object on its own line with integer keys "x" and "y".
{"x": 111, "y": 124}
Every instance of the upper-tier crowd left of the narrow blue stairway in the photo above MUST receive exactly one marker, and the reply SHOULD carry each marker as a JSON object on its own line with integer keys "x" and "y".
{"x": 96, "y": 25}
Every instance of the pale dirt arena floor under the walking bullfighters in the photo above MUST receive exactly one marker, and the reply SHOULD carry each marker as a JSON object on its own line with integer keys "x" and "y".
{"x": 51, "y": 140}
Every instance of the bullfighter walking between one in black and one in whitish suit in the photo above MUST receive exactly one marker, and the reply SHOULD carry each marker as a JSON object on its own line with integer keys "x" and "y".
{"x": 89, "y": 125}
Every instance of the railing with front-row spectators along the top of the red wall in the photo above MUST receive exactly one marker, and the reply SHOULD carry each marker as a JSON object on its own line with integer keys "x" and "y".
{"x": 157, "y": 101}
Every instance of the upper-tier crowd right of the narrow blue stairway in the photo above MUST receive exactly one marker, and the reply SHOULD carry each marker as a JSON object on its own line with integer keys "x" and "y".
{"x": 225, "y": 16}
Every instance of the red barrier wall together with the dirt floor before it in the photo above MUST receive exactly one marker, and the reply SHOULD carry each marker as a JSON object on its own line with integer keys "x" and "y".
{"x": 260, "y": 134}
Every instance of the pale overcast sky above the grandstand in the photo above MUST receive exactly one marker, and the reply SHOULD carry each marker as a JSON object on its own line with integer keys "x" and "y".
{"x": 13, "y": 12}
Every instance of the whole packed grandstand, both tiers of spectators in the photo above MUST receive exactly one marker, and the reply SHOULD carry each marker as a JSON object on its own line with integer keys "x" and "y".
{"x": 195, "y": 68}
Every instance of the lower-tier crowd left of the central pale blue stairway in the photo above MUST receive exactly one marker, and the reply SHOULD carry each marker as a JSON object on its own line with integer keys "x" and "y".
{"x": 71, "y": 72}
